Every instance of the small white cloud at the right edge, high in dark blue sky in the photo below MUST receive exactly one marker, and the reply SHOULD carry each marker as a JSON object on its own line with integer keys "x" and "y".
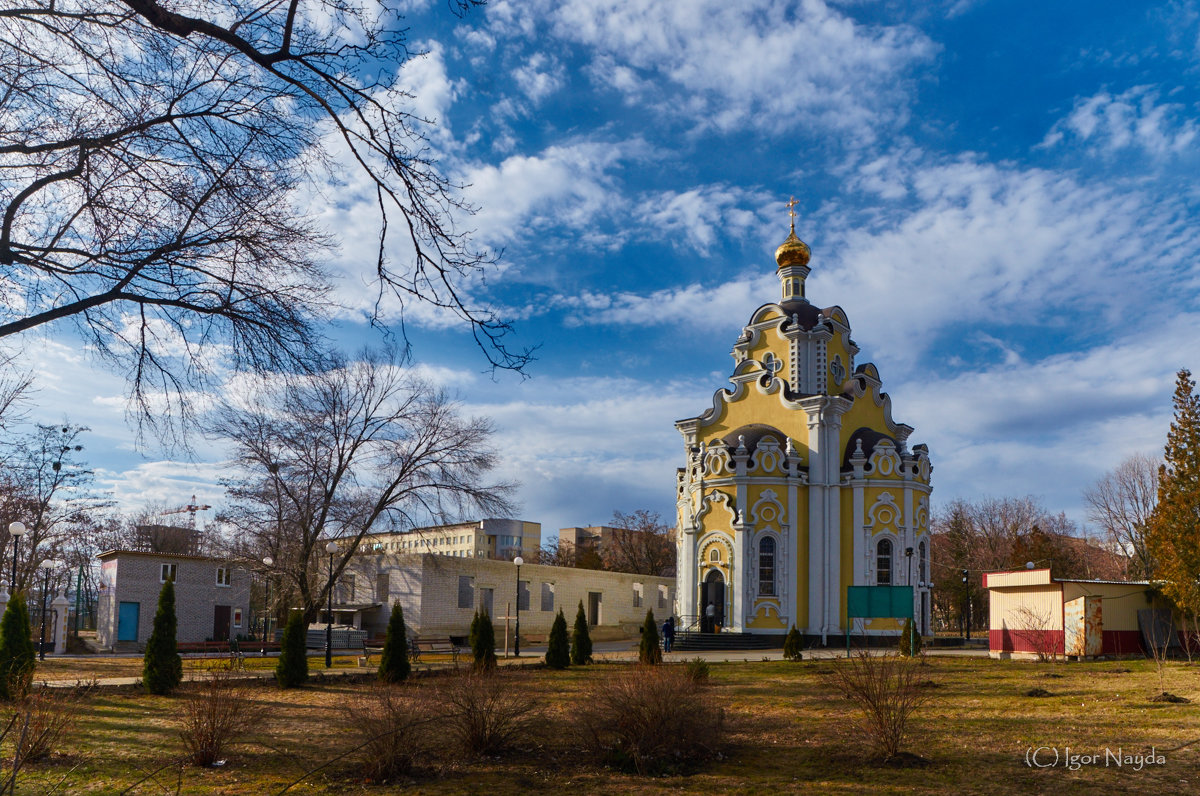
{"x": 1133, "y": 119}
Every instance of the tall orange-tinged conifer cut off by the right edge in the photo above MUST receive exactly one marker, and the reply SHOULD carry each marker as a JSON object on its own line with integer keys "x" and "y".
{"x": 1173, "y": 535}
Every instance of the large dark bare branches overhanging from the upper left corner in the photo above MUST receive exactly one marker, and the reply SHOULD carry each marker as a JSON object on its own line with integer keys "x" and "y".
{"x": 154, "y": 163}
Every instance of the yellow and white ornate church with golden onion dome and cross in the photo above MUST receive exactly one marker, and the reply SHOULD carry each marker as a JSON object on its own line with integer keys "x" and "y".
{"x": 799, "y": 483}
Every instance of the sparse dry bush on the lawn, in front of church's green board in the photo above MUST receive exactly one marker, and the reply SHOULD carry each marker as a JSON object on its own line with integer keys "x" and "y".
{"x": 887, "y": 690}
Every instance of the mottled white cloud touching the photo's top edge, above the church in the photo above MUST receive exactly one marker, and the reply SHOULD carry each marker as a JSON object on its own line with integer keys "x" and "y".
{"x": 757, "y": 63}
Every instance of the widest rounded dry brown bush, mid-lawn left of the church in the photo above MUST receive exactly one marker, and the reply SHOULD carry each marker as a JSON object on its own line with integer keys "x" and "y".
{"x": 651, "y": 720}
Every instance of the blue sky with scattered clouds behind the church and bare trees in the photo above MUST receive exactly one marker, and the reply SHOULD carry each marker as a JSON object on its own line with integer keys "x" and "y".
{"x": 1003, "y": 197}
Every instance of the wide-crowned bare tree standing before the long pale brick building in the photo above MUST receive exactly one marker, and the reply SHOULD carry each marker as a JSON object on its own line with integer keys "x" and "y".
{"x": 362, "y": 447}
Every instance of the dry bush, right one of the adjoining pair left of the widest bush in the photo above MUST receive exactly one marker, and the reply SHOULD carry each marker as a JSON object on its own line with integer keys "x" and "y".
{"x": 489, "y": 714}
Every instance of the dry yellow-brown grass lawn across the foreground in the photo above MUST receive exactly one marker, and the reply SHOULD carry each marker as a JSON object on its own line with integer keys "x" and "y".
{"x": 787, "y": 733}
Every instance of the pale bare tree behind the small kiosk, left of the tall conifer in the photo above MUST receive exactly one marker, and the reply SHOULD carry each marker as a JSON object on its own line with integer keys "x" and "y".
{"x": 1121, "y": 504}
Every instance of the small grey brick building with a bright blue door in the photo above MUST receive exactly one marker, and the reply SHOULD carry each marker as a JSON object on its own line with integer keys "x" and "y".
{"x": 212, "y": 597}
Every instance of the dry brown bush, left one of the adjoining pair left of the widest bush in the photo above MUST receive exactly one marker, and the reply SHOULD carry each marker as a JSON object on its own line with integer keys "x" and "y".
{"x": 391, "y": 728}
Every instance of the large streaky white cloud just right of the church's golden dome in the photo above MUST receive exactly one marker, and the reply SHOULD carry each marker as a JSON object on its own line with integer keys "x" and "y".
{"x": 1004, "y": 248}
